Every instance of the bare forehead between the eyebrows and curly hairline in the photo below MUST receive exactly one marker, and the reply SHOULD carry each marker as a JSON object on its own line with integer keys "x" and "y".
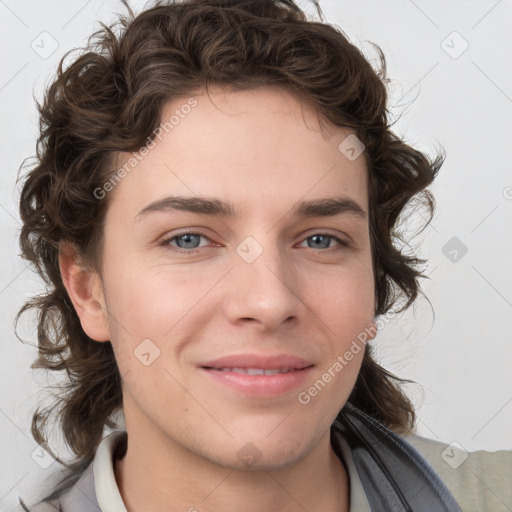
{"x": 261, "y": 145}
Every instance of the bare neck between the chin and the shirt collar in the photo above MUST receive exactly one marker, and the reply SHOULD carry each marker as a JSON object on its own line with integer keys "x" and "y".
{"x": 157, "y": 474}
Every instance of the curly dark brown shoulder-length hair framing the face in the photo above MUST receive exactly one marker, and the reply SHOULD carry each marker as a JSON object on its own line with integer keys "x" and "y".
{"x": 110, "y": 100}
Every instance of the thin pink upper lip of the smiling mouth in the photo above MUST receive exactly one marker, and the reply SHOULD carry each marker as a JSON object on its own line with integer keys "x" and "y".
{"x": 265, "y": 362}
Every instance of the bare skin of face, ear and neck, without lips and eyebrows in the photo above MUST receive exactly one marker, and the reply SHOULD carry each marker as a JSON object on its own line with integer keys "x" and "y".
{"x": 263, "y": 150}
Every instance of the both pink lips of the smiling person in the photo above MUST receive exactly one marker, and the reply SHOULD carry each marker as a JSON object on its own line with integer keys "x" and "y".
{"x": 261, "y": 386}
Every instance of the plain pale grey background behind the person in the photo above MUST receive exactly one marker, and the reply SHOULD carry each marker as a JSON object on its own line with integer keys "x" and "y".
{"x": 452, "y": 83}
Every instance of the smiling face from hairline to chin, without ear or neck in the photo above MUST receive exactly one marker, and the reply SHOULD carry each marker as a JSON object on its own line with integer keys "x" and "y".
{"x": 266, "y": 287}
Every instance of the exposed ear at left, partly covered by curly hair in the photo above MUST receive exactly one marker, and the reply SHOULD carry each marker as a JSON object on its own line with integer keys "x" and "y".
{"x": 85, "y": 290}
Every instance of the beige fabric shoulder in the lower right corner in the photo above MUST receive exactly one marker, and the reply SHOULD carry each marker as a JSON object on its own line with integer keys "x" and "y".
{"x": 479, "y": 480}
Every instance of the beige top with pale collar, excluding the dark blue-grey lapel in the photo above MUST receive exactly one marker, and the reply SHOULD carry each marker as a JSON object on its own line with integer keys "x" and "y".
{"x": 480, "y": 482}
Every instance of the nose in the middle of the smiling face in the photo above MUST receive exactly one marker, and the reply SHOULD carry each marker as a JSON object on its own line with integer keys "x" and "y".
{"x": 263, "y": 287}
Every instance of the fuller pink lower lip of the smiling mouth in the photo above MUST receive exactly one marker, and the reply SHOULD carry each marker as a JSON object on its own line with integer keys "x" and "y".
{"x": 260, "y": 385}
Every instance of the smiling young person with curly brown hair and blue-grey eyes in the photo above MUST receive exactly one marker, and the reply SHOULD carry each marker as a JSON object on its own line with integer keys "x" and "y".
{"x": 214, "y": 207}
